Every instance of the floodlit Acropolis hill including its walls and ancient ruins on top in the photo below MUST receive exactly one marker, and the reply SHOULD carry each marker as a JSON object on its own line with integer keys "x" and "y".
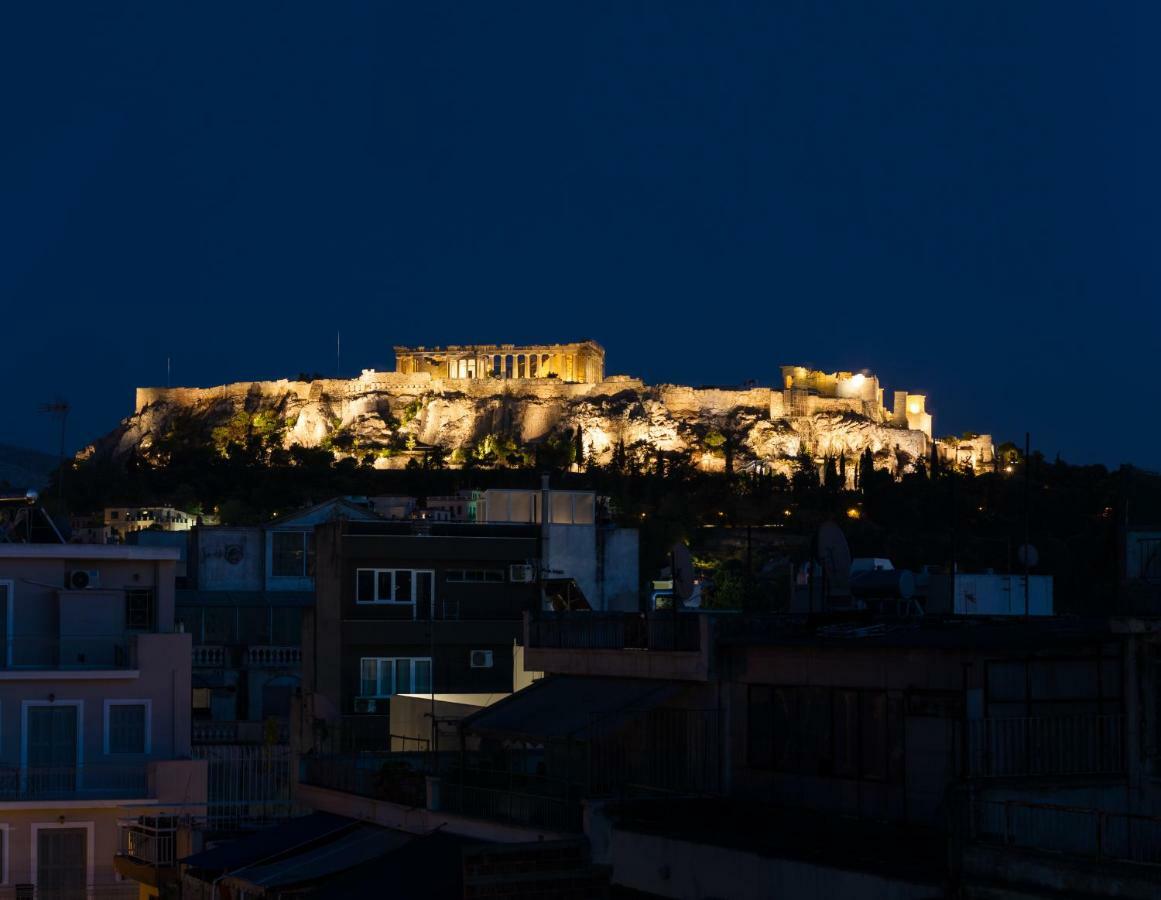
{"x": 492, "y": 404}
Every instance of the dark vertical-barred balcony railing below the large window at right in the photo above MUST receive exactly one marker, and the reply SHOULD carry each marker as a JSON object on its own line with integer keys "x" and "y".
{"x": 1047, "y": 746}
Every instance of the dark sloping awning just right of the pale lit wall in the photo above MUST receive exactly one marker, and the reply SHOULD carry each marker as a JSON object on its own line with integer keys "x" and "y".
{"x": 571, "y": 707}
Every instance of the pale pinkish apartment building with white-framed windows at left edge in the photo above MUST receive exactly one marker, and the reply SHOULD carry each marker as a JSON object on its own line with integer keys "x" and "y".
{"x": 95, "y": 711}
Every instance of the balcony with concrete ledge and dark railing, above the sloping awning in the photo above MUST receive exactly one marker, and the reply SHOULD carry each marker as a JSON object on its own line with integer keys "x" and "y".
{"x": 633, "y": 645}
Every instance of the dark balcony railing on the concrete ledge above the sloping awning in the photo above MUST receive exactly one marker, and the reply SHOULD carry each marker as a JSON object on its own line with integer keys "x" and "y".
{"x": 596, "y": 631}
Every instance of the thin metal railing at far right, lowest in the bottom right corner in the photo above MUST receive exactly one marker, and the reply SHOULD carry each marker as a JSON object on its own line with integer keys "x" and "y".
{"x": 1075, "y": 831}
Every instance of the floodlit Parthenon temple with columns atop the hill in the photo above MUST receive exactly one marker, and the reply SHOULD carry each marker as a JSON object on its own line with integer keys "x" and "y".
{"x": 583, "y": 362}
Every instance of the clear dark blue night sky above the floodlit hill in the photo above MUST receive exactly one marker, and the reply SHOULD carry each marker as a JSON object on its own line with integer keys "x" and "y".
{"x": 964, "y": 198}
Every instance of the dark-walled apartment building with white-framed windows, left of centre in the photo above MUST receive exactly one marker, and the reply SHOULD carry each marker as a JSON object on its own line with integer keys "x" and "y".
{"x": 436, "y": 608}
